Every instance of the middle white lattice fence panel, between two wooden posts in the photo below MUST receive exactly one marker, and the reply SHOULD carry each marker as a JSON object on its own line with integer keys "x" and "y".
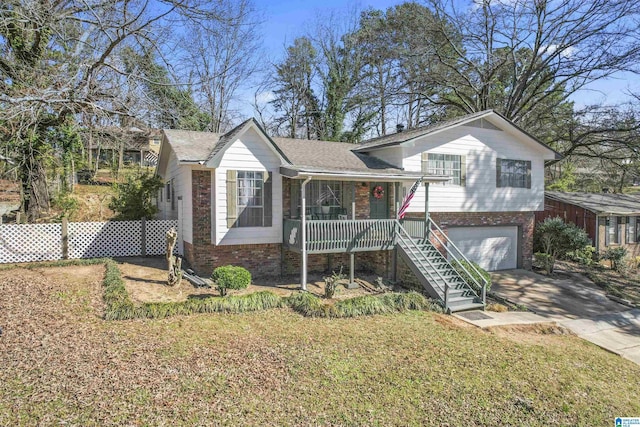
{"x": 104, "y": 239}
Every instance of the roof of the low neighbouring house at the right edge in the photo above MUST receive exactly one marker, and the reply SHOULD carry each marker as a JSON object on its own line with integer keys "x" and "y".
{"x": 600, "y": 203}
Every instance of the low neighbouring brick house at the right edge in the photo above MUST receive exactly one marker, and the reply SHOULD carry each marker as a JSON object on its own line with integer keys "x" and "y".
{"x": 610, "y": 220}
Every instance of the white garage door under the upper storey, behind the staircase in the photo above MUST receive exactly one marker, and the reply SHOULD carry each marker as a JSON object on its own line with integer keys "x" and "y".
{"x": 493, "y": 248}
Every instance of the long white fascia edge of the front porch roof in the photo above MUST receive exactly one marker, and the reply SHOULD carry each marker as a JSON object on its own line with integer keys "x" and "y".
{"x": 346, "y": 175}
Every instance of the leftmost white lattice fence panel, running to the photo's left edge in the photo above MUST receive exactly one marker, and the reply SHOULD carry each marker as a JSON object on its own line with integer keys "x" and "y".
{"x": 30, "y": 242}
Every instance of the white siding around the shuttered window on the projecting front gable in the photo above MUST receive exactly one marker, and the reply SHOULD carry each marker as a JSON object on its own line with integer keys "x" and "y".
{"x": 248, "y": 153}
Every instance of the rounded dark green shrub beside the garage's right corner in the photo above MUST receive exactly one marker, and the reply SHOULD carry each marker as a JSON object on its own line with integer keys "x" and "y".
{"x": 556, "y": 238}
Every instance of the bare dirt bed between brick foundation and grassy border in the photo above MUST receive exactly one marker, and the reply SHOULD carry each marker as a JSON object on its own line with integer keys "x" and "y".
{"x": 145, "y": 280}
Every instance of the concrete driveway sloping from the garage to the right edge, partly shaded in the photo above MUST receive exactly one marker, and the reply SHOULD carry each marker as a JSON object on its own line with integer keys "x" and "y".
{"x": 576, "y": 303}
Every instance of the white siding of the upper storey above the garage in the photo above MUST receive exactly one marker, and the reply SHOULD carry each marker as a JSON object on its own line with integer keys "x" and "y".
{"x": 482, "y": 148}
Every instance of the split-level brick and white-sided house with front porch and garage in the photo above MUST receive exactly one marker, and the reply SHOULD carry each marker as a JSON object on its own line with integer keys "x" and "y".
{"x": 278, "y": 205}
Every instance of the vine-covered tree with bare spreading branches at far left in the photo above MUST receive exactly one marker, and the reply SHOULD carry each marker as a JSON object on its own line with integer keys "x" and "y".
{"x": 61, "y": 58}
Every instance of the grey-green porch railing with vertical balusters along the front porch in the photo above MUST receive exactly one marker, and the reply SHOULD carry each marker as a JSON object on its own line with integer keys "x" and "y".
{"x": 336, "y": 236}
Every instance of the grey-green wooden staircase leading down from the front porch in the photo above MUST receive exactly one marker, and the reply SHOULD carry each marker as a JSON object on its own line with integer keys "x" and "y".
{"x": 436, "y": 274}
